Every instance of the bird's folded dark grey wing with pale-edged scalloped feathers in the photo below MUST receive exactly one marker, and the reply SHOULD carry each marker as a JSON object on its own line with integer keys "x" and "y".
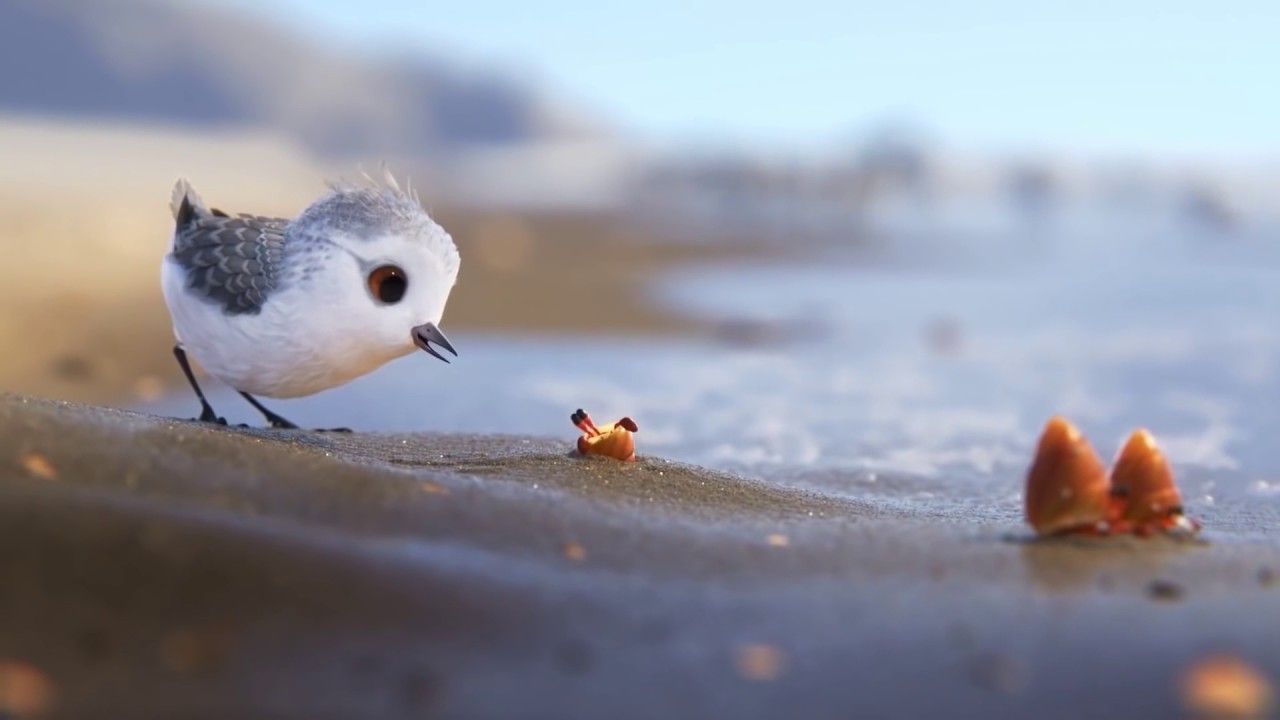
{"x": 234, "y": 262}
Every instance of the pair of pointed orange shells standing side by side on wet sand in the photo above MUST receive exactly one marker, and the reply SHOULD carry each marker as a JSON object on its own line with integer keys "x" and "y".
{"x": 1071, "y": 493}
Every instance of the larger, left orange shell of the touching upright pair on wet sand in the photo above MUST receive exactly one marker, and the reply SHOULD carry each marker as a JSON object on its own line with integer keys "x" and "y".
{"x": 1067, "y": 485}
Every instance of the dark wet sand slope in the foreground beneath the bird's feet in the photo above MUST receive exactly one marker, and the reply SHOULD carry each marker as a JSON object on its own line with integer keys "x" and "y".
{"x": 163, "y": 568}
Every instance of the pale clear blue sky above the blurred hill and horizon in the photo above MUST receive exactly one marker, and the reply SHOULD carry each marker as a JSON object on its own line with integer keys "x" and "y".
{"x": 1162, "y": 76}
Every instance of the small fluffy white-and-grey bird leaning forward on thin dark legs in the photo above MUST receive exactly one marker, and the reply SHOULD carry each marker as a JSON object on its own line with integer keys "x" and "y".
{"x": 281, "y": 308}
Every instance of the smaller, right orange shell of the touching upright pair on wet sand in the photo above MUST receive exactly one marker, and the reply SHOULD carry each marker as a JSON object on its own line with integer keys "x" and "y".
{"x": 1145, "y": 484}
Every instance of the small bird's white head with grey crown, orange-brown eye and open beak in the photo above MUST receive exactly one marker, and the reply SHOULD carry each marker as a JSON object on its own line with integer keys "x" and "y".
{"x": 399, "y": 271}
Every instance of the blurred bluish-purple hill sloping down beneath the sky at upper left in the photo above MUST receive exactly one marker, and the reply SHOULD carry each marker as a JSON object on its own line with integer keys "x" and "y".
{"x": 188, "y": 63}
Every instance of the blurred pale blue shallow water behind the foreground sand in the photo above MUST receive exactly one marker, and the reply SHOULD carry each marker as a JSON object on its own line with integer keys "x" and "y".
{"x": 918, "y": 388}
